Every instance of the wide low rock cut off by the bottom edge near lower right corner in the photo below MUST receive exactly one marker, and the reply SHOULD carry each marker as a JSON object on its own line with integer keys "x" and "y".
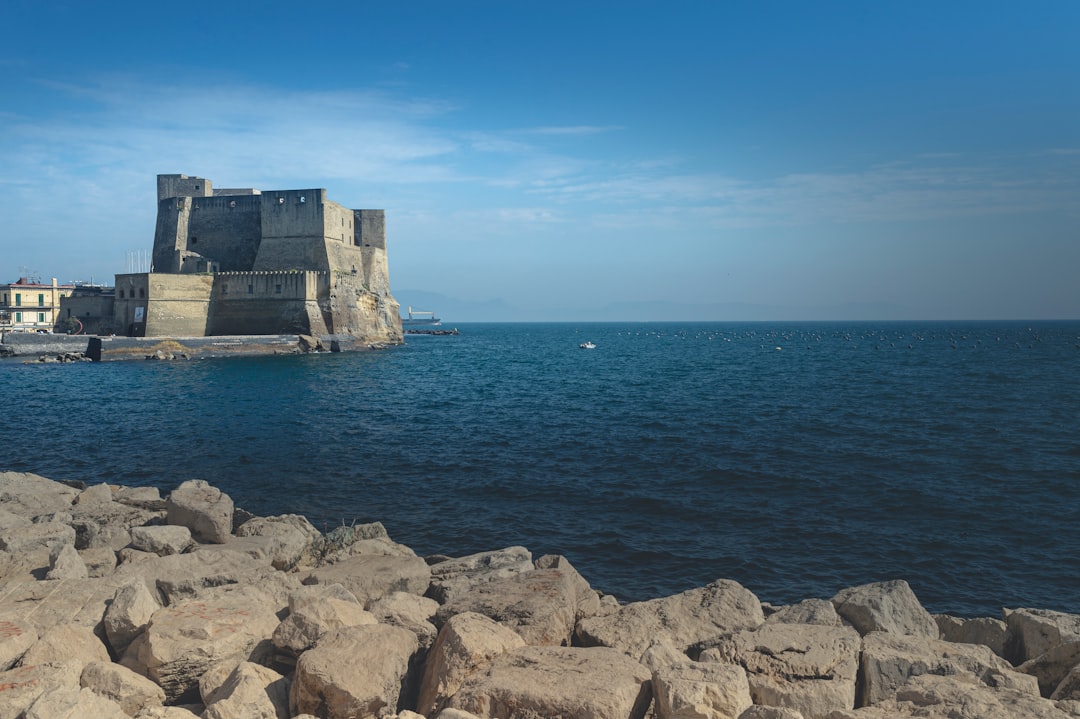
{"x": 930, "y": 697}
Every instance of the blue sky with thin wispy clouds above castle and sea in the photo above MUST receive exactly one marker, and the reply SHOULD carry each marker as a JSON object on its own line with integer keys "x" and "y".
{"x": 579, "y": 160}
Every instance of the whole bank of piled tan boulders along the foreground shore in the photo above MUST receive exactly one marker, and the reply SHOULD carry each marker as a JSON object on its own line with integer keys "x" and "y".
{"x": 117, "y": 603}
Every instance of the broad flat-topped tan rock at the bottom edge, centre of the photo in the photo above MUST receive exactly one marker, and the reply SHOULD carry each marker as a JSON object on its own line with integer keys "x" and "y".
{"x": 558, "y": 682}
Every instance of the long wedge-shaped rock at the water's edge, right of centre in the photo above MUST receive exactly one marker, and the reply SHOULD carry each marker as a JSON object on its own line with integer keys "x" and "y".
{"x": 685, "y": 619}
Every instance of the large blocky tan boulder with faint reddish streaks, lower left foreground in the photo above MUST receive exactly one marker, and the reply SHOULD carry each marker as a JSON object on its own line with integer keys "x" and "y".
{"x": 183, "y": 641}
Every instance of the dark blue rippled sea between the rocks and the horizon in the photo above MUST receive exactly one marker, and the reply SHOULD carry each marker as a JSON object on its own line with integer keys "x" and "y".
{"x": 795, "y": 459}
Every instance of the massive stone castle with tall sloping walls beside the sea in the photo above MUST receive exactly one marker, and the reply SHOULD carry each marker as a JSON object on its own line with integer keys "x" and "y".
{"x": 245, "y": 262}
